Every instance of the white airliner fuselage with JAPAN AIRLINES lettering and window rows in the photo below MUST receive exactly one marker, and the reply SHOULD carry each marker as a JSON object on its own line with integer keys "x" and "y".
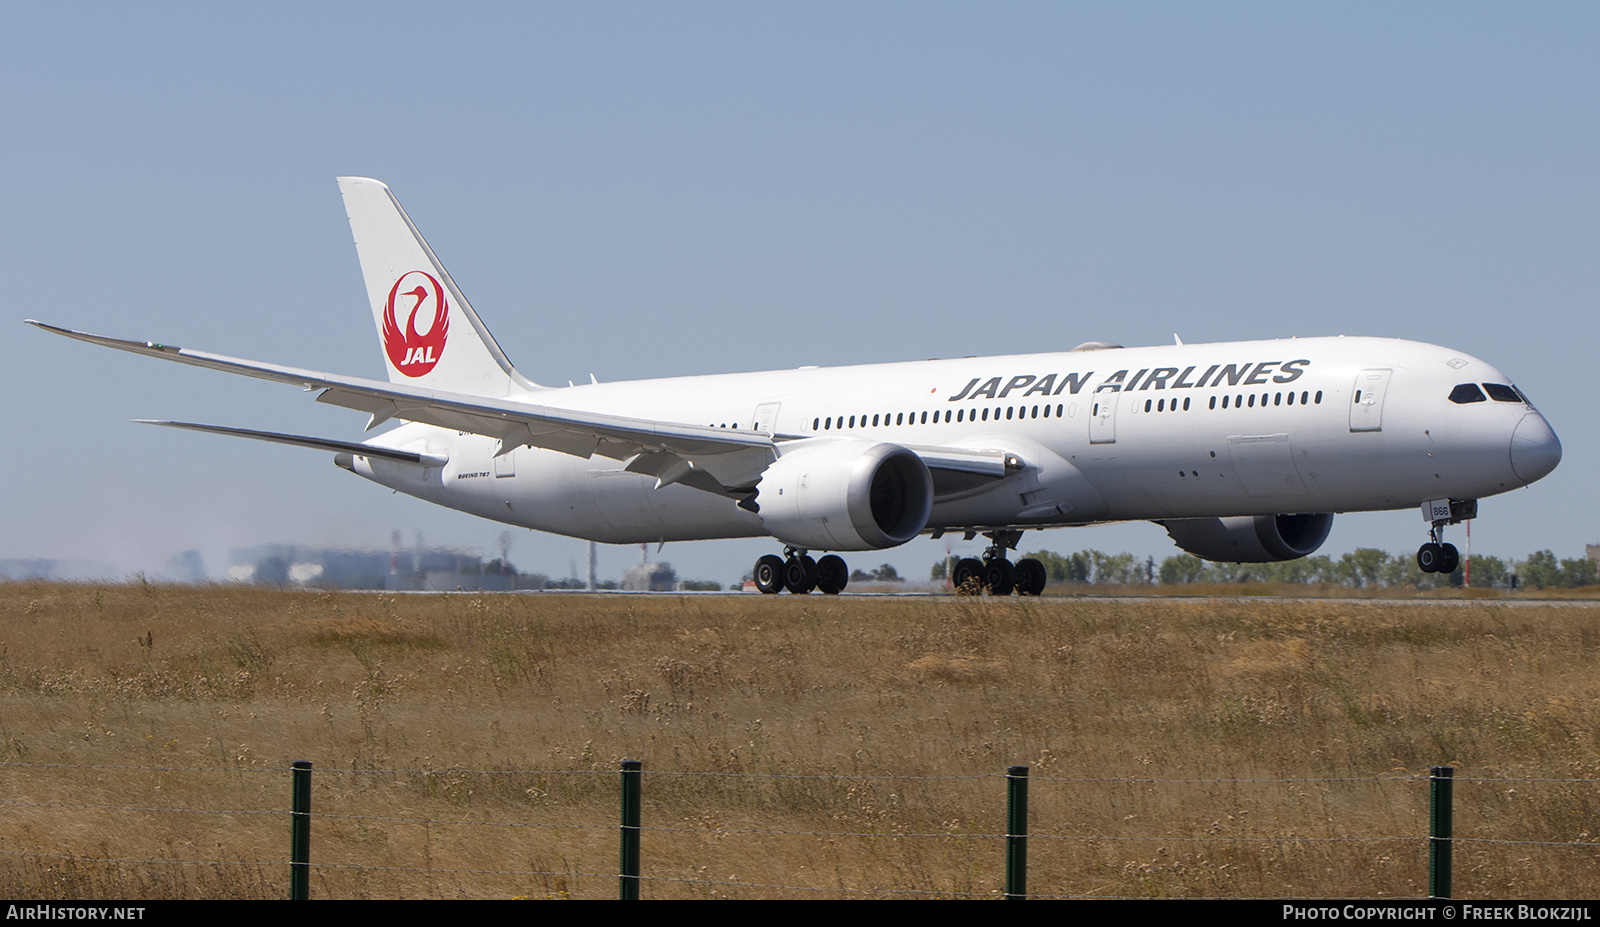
{"x": 1316, "y": 425}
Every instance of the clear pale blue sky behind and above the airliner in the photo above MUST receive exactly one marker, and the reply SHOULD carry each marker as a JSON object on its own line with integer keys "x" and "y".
{"x": 639, "y": 190}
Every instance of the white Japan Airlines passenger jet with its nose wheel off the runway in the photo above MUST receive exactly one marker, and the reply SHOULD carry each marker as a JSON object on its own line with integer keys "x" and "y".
{"x": 1244, "y": 452}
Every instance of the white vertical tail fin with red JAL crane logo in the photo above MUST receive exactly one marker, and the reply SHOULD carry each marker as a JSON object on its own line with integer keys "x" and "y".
{"x": 428, "y": 331}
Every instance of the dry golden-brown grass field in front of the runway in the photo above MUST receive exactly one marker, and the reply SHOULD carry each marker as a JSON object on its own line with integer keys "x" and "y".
{"x": 402, "y": 700}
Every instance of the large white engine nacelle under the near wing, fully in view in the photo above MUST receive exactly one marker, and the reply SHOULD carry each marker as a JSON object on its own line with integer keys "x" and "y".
{"x": 846, "y": 496}
